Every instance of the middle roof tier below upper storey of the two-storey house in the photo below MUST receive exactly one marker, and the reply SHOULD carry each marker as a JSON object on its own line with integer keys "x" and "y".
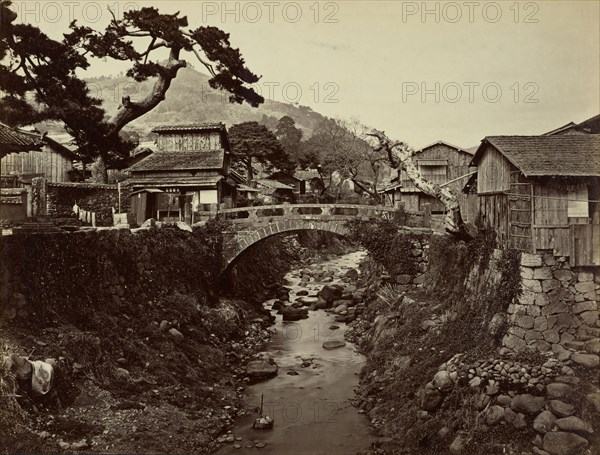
{"x": 181, "y": 160}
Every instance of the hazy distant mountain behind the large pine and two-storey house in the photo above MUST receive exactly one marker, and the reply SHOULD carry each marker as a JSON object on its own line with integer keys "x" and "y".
{"x": 190, "y": 99}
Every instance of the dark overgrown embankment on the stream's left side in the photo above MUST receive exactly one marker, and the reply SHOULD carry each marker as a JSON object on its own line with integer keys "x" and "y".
{"x": 150, "y": 350}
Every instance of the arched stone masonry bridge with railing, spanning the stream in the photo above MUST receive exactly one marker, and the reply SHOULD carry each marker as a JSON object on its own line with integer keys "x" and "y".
{"x": 253, "y": 224}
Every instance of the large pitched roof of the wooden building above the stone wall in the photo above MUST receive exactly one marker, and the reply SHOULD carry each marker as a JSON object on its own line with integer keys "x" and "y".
{"x": 570, "y": 155}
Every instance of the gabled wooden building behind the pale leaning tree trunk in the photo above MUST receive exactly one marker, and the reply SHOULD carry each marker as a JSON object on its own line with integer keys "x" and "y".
{"x": 439, "y": 163}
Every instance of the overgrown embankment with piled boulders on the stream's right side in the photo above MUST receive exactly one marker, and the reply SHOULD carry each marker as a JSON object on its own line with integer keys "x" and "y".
{"x": 438, "y": 381}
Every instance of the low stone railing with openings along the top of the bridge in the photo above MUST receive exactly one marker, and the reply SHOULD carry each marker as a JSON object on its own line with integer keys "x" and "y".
{"x": 333, "y": 212}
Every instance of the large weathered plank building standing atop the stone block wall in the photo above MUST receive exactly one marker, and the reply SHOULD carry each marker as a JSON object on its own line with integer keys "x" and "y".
{"x": 541, "y": 193}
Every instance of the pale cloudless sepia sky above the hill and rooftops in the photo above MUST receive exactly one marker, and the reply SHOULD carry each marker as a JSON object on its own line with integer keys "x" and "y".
{"x": 420, "y": 71}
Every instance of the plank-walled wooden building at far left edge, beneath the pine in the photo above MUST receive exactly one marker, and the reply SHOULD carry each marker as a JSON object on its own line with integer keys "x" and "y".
{"x": 52, "y": 160}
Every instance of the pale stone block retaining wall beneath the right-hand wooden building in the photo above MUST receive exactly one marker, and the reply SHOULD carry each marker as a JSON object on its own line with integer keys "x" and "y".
{"x": 557, "y": 310}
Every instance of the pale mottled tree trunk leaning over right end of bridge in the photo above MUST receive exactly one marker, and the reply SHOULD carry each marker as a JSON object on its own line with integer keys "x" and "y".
{"x": 400, "y": 157}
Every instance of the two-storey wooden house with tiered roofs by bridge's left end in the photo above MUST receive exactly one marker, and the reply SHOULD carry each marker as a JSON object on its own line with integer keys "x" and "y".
{"x": 188, "y": 173}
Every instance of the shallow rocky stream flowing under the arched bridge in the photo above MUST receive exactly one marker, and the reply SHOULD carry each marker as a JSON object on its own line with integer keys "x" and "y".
{"x": 309, "y": 398}
